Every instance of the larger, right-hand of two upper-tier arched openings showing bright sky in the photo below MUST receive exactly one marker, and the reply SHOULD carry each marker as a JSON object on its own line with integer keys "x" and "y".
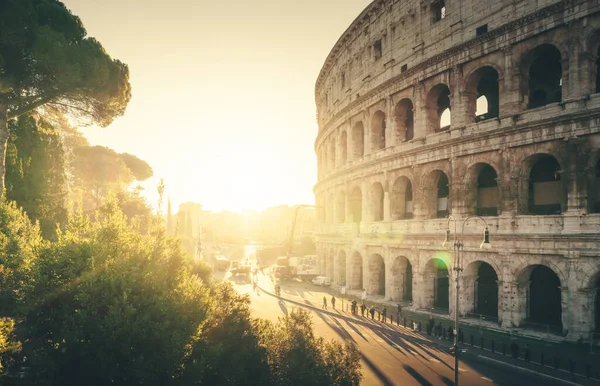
{"x": 483, "y": 95}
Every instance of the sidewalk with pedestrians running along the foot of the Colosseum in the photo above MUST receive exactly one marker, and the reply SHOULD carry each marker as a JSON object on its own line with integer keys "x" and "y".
{"x": 571, "y": 366}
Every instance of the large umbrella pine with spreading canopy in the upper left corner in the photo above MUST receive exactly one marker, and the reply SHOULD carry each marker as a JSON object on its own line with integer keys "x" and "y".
{"x": 48, "y": 63}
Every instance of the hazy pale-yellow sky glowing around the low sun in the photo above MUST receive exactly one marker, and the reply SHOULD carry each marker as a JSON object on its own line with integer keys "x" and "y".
{"x": 223, "y": 93}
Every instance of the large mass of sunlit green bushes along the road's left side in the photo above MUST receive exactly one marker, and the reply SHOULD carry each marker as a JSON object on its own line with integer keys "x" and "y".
{"x": 106, "y": 304}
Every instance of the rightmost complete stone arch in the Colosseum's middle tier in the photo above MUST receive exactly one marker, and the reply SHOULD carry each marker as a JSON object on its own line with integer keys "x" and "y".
{"x": 542, "y": 190}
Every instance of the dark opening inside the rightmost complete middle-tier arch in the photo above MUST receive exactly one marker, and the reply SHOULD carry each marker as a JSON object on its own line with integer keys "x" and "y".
{"x": 546, "y": 192}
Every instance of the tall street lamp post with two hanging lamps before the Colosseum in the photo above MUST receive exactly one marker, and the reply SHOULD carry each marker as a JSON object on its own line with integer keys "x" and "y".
{"x": 457, "y": 245}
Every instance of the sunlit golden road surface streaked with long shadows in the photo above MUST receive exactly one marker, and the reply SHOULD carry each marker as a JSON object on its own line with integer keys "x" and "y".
{"x": 388, "y": 357}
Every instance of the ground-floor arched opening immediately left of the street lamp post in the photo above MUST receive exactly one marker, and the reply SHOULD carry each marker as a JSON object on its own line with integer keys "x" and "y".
{"x": 437, "y": 284}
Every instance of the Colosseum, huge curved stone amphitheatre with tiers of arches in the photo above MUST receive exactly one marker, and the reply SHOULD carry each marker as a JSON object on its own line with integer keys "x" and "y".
{"x": 432, "y": 113}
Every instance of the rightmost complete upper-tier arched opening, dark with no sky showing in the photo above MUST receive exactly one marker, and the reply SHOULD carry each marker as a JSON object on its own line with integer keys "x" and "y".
{"x": 545, "y": 76}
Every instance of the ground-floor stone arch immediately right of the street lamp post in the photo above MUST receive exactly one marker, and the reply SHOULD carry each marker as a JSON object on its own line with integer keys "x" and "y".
{"x": 480, "y": 289}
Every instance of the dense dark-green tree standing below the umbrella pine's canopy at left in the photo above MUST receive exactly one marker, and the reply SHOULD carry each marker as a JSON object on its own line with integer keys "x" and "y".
{"x": 35, "y": 172}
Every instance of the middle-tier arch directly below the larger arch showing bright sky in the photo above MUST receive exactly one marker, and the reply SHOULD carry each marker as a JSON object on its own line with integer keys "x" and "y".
{"x": 482, "y": 194}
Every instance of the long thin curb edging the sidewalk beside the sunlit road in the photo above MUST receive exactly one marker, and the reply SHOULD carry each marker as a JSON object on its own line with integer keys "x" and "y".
{"x": 477, "y": 357}
